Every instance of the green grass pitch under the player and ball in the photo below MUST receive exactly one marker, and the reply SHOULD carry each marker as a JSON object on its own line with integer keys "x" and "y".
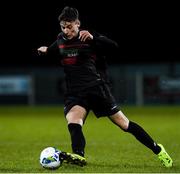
{"x": 25, "y": 131}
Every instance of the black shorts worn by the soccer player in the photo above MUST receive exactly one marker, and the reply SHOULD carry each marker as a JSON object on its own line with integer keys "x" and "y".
{"x": 97, "y": 98}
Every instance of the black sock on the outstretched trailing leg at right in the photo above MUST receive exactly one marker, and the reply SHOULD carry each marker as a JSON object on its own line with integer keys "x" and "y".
{"x": 143, "y": 137}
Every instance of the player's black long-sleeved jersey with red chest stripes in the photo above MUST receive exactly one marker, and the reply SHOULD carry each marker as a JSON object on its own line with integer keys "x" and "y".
{"x": 83, "y": 62}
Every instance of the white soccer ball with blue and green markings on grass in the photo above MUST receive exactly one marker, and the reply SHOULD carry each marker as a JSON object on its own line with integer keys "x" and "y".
{"x": 49, "y": 158}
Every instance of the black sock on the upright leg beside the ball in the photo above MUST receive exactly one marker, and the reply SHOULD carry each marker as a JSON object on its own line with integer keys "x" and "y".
{"x": 77, "y": 138}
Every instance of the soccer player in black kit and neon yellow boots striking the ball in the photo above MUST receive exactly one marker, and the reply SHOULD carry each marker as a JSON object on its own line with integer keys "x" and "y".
{"x": 82, "y": 57}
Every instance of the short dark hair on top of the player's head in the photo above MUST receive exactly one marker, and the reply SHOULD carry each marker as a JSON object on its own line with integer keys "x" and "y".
{"x": 68, "y": 14}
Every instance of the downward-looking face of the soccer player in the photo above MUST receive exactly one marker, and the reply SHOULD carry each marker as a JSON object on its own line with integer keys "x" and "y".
{"x": 70, "y": 29}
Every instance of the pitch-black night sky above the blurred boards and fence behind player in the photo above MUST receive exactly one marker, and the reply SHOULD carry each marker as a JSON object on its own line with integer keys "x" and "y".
{"x": 145, "y": 31}
